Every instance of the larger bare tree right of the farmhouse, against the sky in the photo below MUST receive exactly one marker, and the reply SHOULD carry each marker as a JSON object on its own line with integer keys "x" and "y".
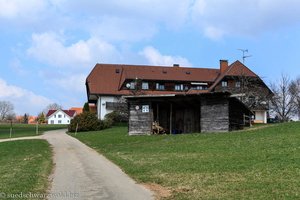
{"x": 283, "y": 101}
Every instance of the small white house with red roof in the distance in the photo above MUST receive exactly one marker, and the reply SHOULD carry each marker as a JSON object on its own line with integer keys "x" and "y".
{"x": 60, "y": 116}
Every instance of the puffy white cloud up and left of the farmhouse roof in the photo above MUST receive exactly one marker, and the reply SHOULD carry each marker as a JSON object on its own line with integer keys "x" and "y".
{"x": 51, "y": 49}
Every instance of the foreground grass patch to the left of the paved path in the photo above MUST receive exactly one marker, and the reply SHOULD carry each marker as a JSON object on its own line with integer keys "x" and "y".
{"x": 25, "y": 167}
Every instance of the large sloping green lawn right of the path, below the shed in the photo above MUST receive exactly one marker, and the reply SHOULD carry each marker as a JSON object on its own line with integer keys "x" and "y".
{"x": 255, "y": 164}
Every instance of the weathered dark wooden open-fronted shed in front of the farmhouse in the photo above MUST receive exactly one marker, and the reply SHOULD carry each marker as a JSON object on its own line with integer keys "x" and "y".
{"x": 189, "y": 113}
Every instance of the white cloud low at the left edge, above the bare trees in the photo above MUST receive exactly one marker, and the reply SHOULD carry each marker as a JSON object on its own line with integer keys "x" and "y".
{"x": 23, "y": 100}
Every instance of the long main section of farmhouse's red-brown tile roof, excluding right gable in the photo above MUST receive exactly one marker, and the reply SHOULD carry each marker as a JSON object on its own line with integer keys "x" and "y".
{"x": 104, "y": 78}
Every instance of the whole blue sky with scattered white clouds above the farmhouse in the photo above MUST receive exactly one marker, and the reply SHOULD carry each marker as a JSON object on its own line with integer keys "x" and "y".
{"x": 48, "y": 47}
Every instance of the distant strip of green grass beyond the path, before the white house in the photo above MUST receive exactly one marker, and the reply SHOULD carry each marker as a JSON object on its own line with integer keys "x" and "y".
{"x": 21, "y": 130}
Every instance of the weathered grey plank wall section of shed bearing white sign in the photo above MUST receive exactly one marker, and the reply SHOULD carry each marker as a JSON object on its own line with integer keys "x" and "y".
{"x": 140, "y": 123}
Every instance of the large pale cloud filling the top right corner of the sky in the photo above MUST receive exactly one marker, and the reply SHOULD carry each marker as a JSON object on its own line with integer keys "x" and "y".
{"x": 217, "y": 18}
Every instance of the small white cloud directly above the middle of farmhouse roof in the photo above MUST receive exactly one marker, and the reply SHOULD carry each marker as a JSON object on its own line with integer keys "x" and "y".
{"x": 154, "y": 57}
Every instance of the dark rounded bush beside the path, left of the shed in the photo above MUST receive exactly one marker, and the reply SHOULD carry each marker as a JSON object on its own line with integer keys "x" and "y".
{"x": 88, "y": 121}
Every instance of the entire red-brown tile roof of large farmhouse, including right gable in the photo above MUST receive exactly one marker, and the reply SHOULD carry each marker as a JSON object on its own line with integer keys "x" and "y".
{"x": 107, "y": 79}
